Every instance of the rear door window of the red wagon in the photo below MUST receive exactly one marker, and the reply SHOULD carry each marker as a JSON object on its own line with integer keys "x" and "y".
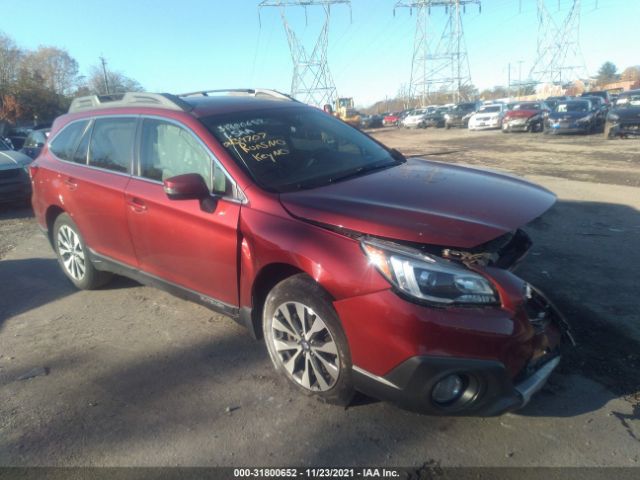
{"x": 111, "y": 145}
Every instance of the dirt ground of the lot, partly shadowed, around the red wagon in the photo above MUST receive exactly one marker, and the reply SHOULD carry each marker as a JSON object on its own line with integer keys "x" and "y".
{"x": 129, "y": 375}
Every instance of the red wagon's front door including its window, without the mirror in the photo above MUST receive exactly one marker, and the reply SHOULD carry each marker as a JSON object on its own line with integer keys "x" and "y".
{"x": 177, "y": 240}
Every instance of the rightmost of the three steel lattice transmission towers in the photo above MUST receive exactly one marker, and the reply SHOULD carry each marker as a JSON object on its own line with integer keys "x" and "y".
{"x": 559, "y": 57}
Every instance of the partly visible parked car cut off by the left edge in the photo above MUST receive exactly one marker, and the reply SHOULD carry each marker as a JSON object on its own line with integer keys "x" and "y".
{"x": 15, "y": 185}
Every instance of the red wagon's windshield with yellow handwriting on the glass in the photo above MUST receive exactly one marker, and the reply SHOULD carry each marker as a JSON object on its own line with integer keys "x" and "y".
{"x": 296, "y": 148}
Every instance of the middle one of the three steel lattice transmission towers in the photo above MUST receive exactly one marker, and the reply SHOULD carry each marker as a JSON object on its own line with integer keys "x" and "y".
{"x": 439, "y": 64}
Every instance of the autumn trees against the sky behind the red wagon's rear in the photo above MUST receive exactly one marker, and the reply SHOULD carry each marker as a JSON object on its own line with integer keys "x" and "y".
{"x": 38, "y": 85}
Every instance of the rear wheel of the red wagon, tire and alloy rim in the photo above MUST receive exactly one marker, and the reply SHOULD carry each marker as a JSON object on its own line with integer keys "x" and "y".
{"x": 73, "y": 255}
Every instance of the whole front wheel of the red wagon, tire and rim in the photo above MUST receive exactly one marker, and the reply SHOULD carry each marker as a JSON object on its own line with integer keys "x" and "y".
{"x": 306, "y": 342}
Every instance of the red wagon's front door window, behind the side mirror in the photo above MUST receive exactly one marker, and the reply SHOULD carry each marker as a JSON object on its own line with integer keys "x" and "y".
{"x": 168, "y": 150}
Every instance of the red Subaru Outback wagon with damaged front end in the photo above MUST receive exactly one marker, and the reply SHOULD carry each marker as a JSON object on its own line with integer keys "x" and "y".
{"x": 362, "y": 270}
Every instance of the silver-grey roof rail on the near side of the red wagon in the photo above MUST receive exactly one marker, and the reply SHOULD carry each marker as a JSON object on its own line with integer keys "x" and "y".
{"x": 129, "y": 99}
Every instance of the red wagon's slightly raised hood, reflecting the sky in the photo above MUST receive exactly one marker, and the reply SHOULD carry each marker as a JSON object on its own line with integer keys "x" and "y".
{"x": 426, "y": 202}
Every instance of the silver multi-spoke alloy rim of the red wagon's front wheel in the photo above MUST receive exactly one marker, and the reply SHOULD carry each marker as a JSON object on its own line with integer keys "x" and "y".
{"x": 305, "y": 347}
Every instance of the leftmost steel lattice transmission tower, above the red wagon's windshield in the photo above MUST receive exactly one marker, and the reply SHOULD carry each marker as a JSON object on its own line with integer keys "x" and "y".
{"x": 311, "y": 82}
